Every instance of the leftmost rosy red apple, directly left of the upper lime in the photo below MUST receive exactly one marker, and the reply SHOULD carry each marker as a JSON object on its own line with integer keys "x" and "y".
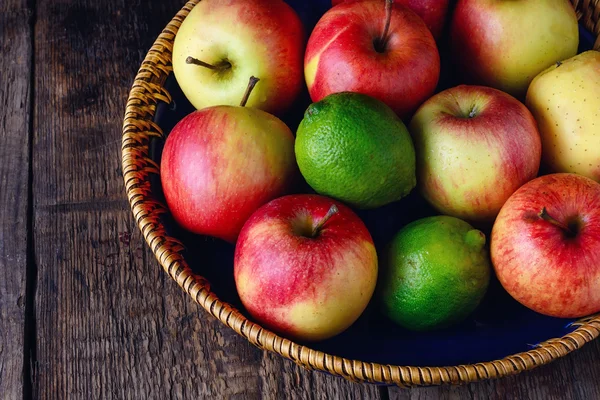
{"x": 221, "y": 163}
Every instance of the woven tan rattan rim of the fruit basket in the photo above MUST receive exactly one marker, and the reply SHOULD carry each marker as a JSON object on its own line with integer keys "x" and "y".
{"x": 138, "y": 129}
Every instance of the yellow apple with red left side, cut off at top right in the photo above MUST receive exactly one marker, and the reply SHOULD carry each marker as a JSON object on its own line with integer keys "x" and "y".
{"x": 505, "y": 44}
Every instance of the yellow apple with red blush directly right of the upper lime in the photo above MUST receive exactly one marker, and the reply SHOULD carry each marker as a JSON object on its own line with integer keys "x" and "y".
{"x": 475, "y": 146}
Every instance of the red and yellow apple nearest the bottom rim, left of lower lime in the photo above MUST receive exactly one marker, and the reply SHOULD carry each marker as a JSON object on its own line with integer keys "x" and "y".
{"x": 300, "y": 287}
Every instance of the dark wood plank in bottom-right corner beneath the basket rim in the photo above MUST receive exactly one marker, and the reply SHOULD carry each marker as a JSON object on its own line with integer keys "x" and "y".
{"x": 576, "y": 376}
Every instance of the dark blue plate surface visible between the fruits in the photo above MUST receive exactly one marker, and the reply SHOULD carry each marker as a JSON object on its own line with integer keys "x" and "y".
{"x": 499, "y": 327}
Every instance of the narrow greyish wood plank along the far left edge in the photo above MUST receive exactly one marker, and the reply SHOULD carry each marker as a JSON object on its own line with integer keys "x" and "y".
{"x": 15, "y": 91}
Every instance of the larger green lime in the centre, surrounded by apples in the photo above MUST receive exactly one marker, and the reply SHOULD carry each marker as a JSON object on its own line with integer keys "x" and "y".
{"x": 354, "y": 148}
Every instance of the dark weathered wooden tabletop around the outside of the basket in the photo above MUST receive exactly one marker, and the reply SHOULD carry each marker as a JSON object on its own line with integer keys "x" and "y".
{"x": 85, "y": 309}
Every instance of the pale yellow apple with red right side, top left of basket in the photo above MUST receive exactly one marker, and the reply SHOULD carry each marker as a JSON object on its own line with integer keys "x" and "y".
{"x": 223, "y": 42}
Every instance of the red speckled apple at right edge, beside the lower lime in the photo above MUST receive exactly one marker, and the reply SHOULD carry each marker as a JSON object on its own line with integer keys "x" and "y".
{"x": 535, "y": 261}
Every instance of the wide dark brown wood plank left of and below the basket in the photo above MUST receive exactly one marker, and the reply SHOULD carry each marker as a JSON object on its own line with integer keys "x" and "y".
{"x": 110, "y": 323}
